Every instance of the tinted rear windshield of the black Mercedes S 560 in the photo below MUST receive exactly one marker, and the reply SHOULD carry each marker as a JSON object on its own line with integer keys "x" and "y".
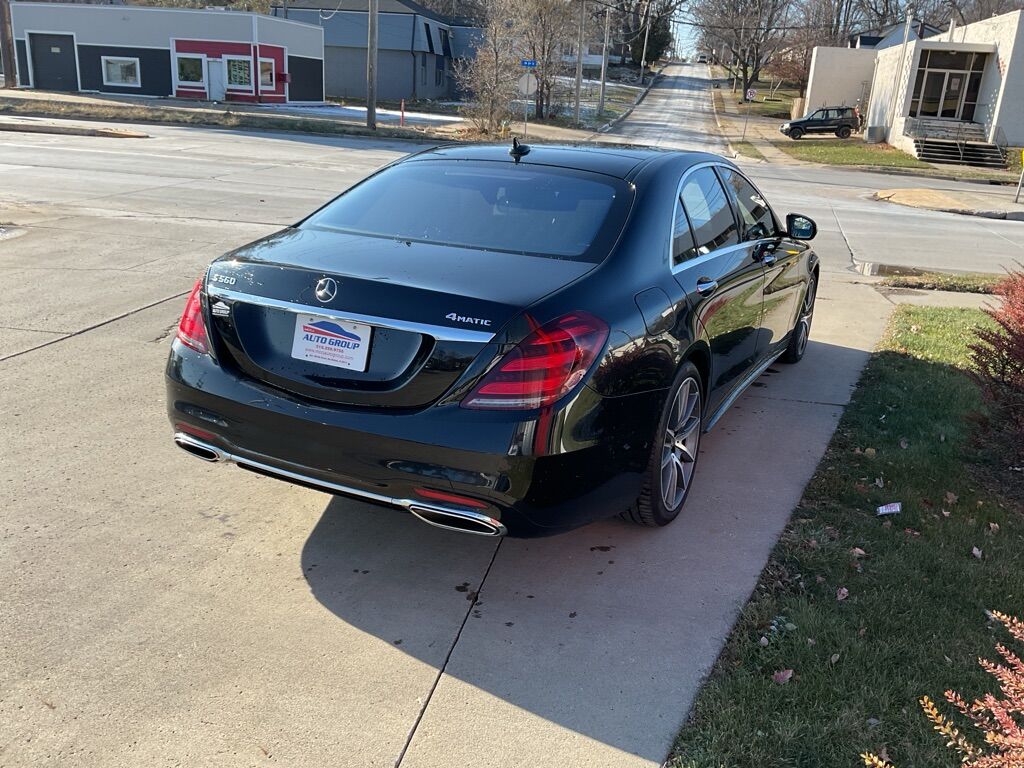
{"x": 488, "y": 206}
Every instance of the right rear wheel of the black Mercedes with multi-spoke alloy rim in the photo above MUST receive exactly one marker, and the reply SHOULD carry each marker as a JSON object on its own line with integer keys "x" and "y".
{"x": 652, "y": 508}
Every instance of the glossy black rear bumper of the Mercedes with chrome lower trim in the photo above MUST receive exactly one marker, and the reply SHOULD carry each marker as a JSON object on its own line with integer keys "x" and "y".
{"x": 530, "y": 475}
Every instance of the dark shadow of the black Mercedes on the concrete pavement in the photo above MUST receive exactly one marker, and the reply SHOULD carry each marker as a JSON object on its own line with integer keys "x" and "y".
{"x": 608, "y": 630}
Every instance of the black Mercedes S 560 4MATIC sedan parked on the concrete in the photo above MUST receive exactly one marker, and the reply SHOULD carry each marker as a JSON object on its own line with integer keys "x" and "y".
{"x": 499, "y": 343}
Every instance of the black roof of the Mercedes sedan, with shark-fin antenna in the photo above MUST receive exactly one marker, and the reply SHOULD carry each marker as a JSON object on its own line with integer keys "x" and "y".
{"x": 622, "y": 161}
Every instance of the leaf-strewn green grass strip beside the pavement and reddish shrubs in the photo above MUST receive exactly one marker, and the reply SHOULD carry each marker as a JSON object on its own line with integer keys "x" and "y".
{"x": 913, "y": 620}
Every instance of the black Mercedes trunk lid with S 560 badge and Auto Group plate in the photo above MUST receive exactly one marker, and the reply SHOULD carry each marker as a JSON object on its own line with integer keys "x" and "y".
{"x": 396, "y": 323}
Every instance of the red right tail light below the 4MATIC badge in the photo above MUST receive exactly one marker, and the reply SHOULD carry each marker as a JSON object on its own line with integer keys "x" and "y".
{"x": 542, "y": 368}
